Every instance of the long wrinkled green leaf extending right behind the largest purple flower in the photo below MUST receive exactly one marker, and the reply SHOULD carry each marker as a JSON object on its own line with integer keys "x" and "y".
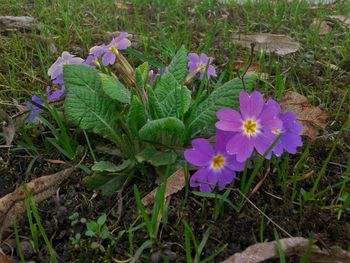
{"x": 203, "y": 116}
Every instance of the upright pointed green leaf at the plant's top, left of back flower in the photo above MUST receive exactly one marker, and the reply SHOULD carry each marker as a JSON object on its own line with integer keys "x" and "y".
{"x": 178, "y": 65}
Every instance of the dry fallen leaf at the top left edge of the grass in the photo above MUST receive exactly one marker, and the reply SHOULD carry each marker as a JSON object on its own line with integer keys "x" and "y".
{"x": 8, "y": 23}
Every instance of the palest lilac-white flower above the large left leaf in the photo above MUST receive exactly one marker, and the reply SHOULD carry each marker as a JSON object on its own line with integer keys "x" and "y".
{"x": 56, "y": 69}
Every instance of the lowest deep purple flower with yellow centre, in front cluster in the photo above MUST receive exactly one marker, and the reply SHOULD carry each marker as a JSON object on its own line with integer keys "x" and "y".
{"x": 217, "y": 167}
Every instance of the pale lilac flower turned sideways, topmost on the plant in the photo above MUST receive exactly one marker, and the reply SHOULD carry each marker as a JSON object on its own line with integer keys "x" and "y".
{"x": 112, "y": 49}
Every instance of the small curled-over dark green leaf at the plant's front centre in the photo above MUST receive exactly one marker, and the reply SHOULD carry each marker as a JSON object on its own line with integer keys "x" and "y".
{"x": 166, "y": 131}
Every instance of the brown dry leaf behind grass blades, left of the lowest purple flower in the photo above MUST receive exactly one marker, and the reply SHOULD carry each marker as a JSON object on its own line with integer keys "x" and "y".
{"x": 175, "y": 183}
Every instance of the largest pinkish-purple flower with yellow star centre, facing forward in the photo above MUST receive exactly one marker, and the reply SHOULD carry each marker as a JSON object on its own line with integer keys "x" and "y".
{"x": 251, "y": 128}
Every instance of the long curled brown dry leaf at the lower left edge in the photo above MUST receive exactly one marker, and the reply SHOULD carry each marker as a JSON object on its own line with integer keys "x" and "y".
{"x": 12, "y": 204}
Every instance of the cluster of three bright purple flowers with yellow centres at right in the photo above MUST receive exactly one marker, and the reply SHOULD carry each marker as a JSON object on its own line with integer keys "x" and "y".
{"x": 259, "y": 125}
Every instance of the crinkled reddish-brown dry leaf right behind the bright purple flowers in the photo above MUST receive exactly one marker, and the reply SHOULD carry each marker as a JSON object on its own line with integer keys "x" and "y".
{"x": 309, "y": 116}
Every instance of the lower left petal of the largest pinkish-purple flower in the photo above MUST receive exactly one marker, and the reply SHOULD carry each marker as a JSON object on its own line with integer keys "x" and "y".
{"x": 241, "y": 146}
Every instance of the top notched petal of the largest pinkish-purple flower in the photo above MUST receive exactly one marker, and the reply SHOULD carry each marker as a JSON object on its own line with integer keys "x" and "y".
{"x": 251, "y": 106}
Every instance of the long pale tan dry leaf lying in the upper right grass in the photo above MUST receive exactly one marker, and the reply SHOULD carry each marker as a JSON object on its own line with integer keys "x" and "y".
{"x": 279, "y": 44}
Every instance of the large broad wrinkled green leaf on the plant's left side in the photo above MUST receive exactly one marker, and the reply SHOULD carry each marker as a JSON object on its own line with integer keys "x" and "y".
{"x": 86, "y": 105}
